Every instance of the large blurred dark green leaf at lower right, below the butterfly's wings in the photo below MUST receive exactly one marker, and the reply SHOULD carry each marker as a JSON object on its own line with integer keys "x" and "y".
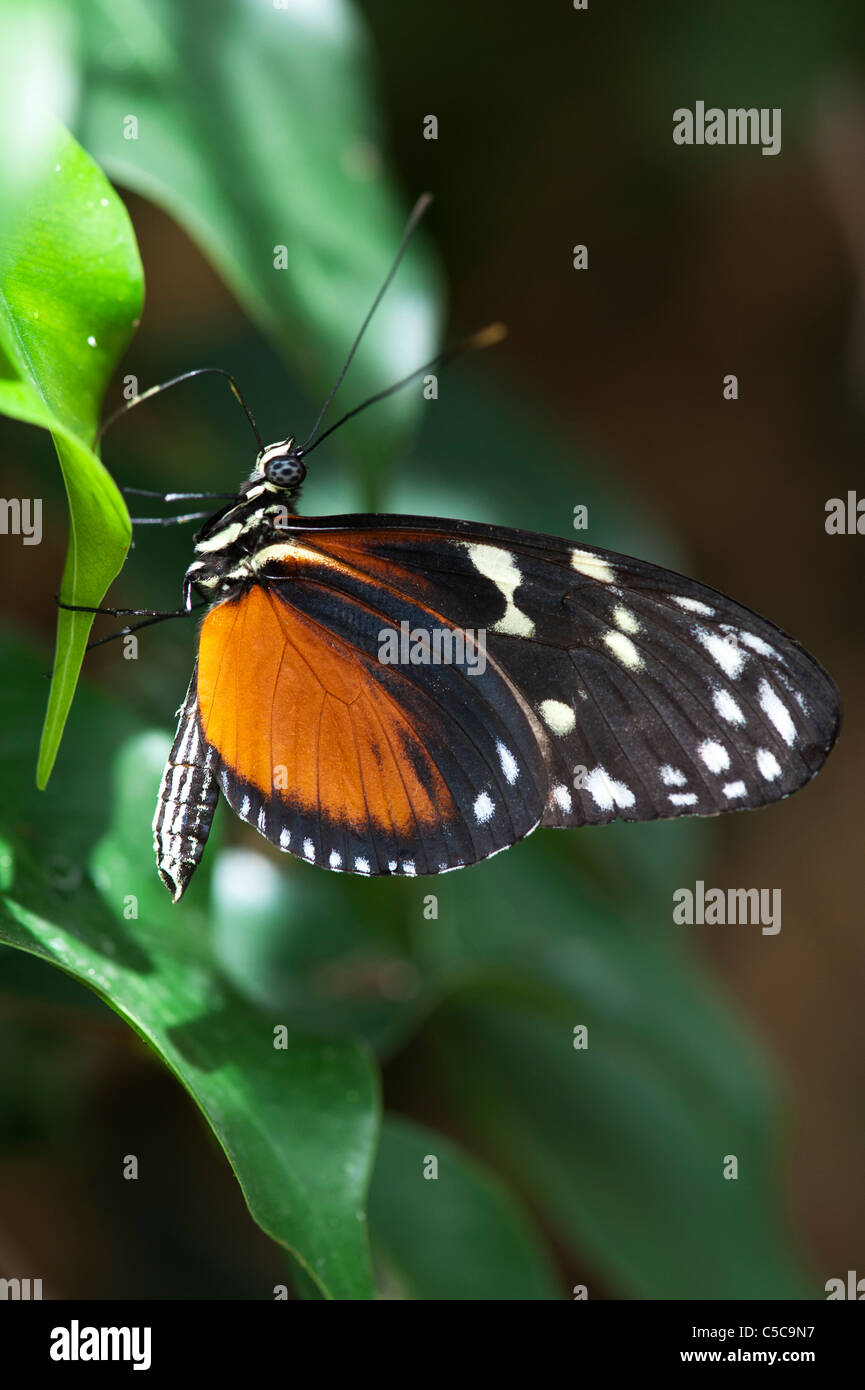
{"x": 621, "y": 1143}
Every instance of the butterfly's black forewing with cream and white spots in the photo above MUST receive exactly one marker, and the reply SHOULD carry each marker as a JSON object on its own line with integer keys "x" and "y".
{"x": 653, "y": 696}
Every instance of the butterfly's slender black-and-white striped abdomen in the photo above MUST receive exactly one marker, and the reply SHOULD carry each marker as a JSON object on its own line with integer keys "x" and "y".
{"x": 187, "y": 801}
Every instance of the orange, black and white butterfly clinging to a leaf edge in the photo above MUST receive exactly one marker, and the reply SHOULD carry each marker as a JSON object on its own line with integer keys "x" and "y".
{"x": 410, "y": 696}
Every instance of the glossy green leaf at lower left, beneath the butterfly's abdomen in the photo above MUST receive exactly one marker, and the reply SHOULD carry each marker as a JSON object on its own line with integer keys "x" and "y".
{"x": 80, "y": 890}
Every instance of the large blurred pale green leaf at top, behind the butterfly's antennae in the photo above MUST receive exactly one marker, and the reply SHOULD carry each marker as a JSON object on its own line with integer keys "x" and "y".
{"x": 254, "y": 127}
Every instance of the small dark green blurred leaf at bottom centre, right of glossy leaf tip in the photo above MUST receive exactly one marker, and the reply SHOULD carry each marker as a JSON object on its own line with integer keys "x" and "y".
{"x": 458, "y": 1235}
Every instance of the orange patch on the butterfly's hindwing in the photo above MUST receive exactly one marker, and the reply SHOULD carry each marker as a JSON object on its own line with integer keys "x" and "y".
{"x": 300, "y": 715}
